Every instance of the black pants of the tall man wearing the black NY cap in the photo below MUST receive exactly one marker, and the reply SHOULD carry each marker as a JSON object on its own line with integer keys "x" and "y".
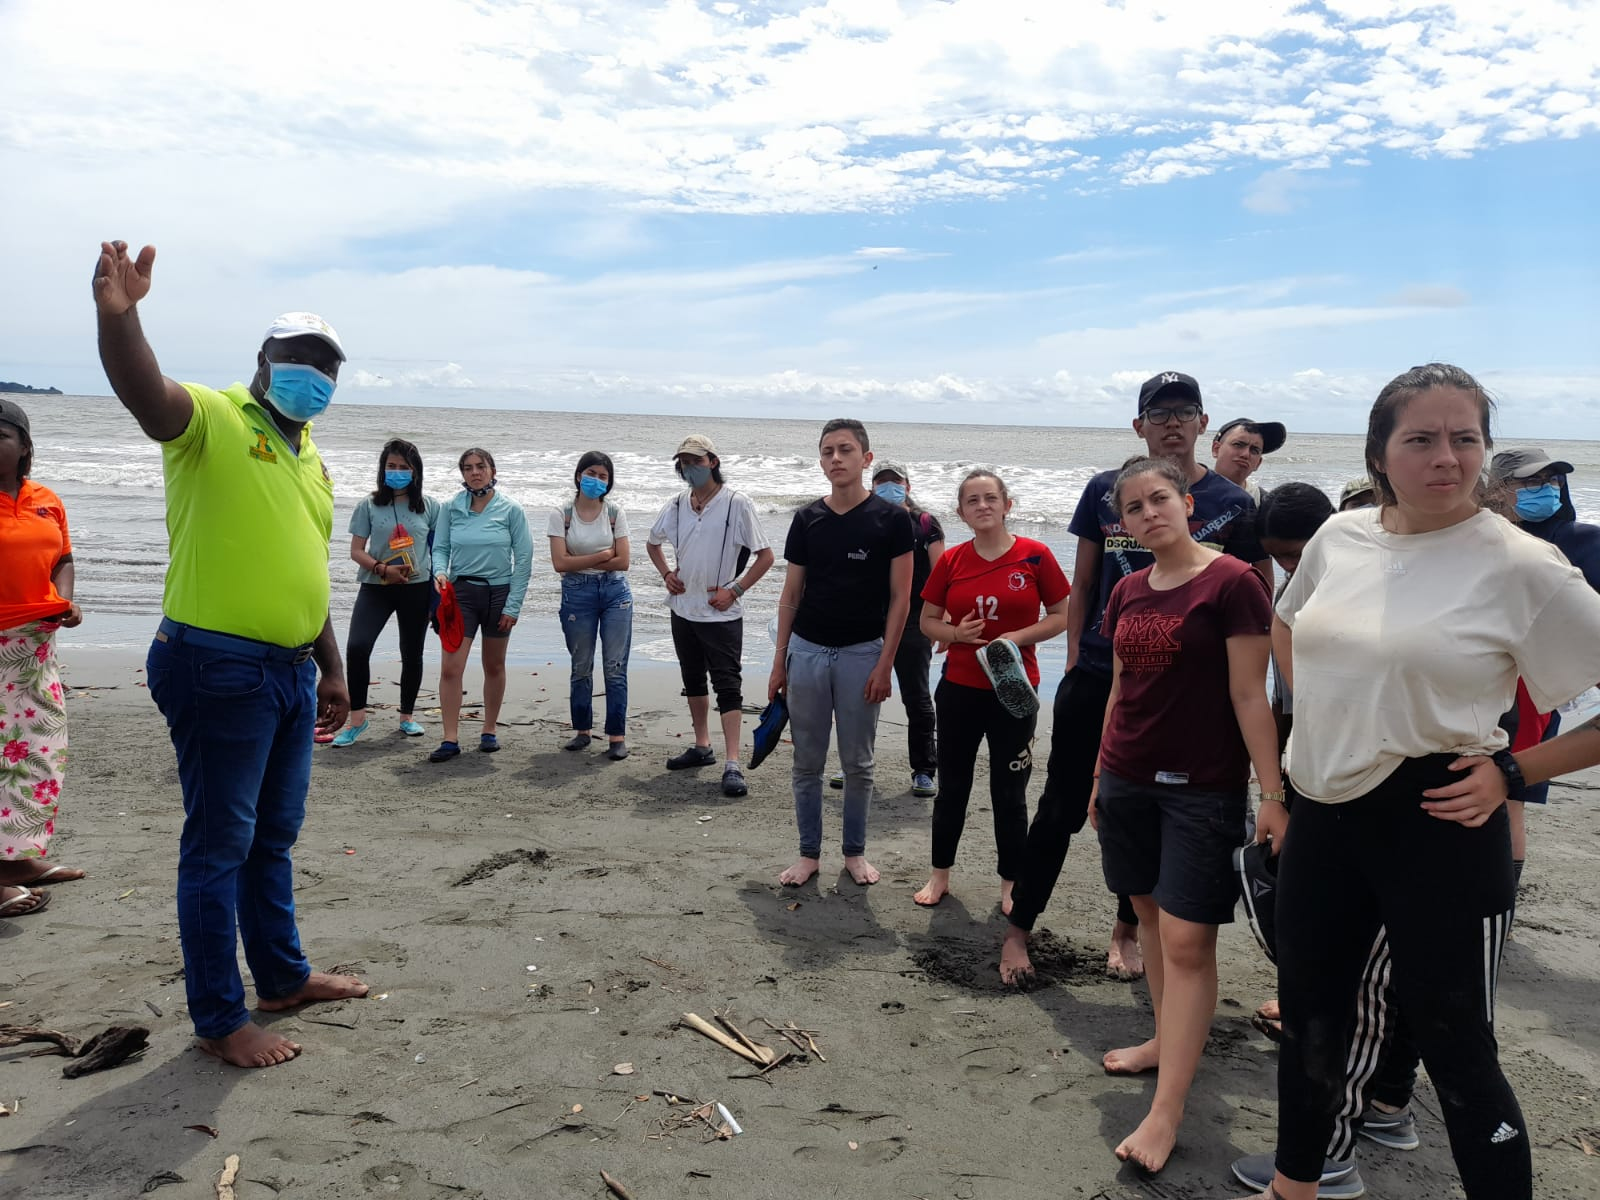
{"x": 1070, "y": 778}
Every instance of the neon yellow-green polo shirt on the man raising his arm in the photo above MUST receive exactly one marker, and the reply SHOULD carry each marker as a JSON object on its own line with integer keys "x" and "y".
{"x": 249, "y": 522}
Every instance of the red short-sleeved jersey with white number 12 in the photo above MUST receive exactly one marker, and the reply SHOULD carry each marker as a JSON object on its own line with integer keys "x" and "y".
{"x": 1009, "y": 594}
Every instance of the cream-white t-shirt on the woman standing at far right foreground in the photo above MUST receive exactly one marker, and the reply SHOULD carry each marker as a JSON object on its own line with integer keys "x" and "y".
{"x": 1412, "y": 644}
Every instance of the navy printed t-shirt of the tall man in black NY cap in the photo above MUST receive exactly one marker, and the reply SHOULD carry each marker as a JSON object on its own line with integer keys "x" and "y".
{"x": 1225, "y": 519}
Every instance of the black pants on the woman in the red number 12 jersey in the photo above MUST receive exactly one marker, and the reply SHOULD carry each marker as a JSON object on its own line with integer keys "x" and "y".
{"x": 967, "y": 719}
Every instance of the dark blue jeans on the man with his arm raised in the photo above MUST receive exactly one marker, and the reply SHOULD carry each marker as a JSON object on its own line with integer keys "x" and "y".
{"x": 241, "y": 714}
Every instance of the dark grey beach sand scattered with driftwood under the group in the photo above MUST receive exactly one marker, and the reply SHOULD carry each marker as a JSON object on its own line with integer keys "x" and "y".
{"x": 641, "y": 897}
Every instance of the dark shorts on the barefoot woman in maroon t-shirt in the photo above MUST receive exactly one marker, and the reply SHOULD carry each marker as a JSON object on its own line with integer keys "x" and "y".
{"x": 1175, "y": 844}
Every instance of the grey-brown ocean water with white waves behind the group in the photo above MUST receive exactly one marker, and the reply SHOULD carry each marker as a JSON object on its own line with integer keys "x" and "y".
{"x": 110, "y": 476}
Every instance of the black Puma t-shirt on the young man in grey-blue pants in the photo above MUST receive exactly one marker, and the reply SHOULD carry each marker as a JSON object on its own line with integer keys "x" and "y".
{"x": 847, "y": 569}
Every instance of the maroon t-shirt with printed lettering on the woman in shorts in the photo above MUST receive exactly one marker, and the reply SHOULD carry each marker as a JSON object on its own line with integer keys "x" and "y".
{"x": 1174, "y": 721}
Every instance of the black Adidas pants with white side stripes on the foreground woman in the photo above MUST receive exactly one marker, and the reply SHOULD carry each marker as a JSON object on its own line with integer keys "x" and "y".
{"x": 1375, "y": 892}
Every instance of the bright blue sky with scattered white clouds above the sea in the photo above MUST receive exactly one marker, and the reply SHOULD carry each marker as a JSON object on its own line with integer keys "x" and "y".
{"x": 927, "y": 210}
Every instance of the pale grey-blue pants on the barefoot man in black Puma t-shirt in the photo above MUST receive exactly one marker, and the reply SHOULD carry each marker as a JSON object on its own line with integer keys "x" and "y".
{"x": 826, "y": 689}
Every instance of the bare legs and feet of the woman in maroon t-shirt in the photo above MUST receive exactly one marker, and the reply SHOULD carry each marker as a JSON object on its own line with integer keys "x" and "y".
{"x": 1182, "y": 967}
